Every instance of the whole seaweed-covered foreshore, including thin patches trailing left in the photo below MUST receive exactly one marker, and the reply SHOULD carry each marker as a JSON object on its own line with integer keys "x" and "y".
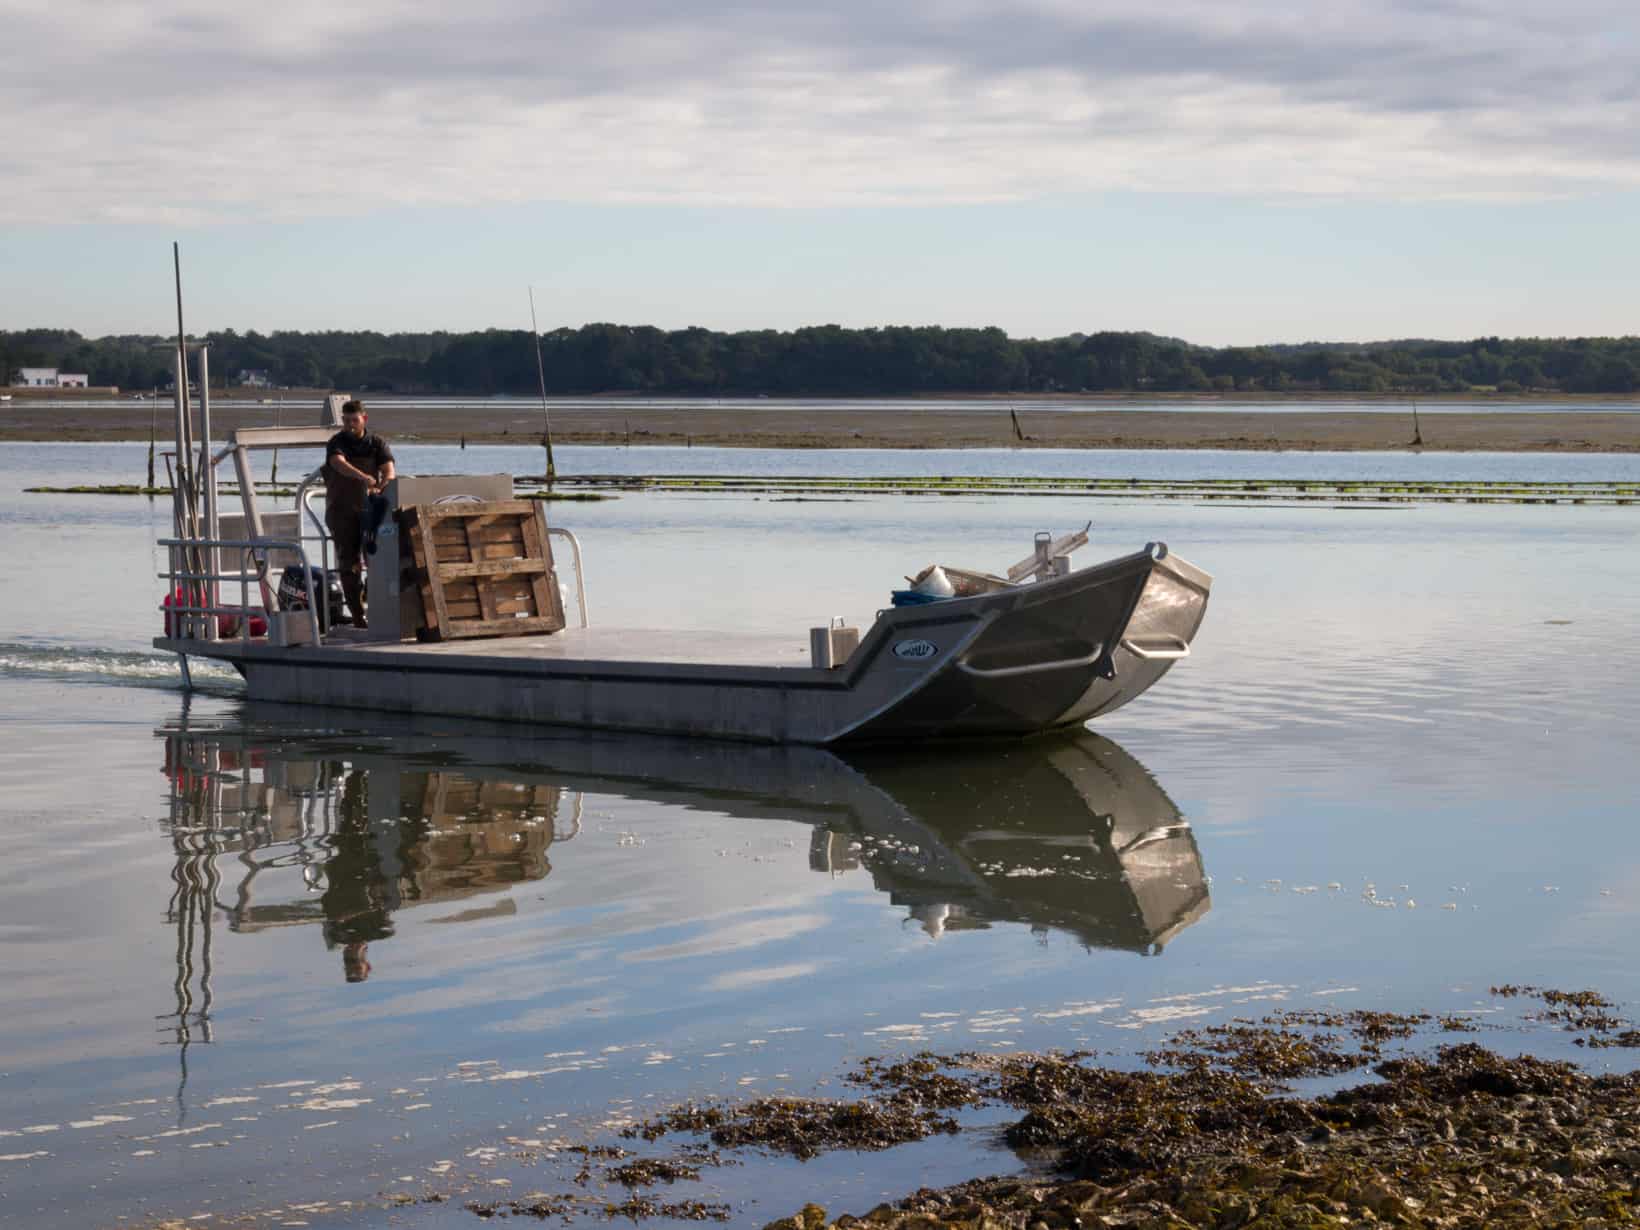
{"x": 1205, "y": 1132}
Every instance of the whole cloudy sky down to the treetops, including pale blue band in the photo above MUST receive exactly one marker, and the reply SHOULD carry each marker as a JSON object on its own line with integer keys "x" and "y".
{"x": 1231, "y": 173}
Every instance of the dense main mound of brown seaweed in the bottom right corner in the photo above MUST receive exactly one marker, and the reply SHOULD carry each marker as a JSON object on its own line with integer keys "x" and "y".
{"x": 1464, "y": 1139}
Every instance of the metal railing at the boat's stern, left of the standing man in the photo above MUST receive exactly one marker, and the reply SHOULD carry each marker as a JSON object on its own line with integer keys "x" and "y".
{"x": 193, "y": 609}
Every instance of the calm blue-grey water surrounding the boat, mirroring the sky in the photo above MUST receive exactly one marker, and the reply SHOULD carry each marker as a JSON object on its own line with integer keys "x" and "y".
{"x": 565, "y": 931}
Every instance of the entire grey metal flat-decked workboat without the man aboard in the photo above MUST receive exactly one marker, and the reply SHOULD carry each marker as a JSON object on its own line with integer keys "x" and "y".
{"x": 1039, "y": 649}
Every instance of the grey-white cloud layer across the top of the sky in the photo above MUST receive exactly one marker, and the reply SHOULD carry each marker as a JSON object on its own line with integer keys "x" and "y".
{"x": 198, "y": 112}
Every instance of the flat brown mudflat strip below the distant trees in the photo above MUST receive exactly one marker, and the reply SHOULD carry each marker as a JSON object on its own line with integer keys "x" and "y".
{"x": 983, "y": 426}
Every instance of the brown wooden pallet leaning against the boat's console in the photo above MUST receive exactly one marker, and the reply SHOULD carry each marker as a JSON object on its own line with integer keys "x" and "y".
{"x": 485, "y": 570}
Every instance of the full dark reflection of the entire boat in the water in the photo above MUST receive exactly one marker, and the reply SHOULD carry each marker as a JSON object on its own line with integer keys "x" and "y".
{"x": 281, "y": 824}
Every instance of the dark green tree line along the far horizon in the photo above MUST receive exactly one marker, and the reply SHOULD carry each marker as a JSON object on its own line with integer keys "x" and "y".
{"x": 834, "y": 362}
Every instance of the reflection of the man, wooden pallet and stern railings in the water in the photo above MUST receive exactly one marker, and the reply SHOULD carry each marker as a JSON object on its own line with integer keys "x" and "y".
{"x": 324, "y": 831}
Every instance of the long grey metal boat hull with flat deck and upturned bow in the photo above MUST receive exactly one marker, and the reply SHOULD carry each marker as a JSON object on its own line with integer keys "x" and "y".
{"x": 998, "y": 665}
